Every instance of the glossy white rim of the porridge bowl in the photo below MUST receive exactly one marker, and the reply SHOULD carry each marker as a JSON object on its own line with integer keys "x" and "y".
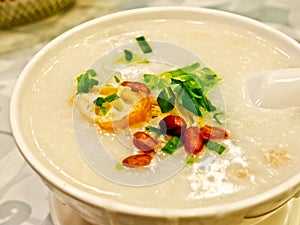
{"x": 291, "y": 185}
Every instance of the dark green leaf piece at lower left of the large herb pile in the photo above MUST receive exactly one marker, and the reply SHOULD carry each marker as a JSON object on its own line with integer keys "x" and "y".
{"x": 166, "y": 100}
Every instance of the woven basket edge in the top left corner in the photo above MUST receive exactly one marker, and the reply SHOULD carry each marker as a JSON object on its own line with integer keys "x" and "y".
{"x": 17, "y": 12}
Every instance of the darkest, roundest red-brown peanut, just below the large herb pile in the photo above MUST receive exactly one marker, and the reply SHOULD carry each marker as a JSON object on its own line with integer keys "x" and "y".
{"x": 172, "y": 125}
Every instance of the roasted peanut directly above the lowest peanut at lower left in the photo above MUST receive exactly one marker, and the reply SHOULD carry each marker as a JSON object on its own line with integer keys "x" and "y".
{"x": 144, "y": 142}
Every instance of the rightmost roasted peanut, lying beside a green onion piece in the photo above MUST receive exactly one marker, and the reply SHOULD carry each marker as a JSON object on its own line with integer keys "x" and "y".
{"x": 213, "y": 133}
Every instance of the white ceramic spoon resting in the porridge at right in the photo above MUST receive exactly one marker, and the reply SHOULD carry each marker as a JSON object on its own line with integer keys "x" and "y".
{"x": 275, "y": 89}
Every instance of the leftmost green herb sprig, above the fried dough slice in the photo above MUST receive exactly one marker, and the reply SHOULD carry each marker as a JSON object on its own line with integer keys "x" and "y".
{"x": 85, "y": 81}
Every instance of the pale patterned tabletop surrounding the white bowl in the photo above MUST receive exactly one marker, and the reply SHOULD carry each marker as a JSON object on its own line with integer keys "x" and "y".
{"x": 23, "y": 197}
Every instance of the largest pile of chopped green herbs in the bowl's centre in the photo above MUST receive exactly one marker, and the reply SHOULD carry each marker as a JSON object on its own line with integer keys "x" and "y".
{"x": 190, "y": 83}
